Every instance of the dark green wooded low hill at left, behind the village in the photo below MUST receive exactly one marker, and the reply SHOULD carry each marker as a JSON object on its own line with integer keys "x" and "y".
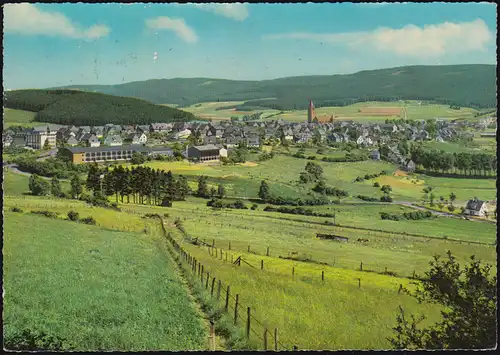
{"x": 89, "y": 109}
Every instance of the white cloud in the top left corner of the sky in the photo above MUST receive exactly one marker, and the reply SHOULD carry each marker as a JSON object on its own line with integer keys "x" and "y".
{"x": 27, "y": 19}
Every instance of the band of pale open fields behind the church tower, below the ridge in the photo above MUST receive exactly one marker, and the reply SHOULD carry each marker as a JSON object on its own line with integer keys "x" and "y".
{"x": 350, "y": 112}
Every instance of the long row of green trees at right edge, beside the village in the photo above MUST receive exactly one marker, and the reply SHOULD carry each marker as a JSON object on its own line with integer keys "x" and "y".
{"x": 464, "y": 163}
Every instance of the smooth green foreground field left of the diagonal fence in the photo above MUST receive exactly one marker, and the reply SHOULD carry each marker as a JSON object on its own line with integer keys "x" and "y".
{"x": 95, "y": 289}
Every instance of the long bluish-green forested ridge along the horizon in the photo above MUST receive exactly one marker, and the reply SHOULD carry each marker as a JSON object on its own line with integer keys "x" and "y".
{"x": 463, "y": 85}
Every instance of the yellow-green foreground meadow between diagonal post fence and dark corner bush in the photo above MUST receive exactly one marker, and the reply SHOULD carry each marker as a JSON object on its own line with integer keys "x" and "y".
{"x": 309, "y": 313}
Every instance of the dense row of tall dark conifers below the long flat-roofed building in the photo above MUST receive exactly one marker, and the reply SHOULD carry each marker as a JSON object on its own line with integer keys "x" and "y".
{"x": 144, "y": 184}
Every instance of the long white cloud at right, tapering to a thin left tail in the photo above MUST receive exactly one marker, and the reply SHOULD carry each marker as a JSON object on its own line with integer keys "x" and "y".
{"x": 411, "y": 40}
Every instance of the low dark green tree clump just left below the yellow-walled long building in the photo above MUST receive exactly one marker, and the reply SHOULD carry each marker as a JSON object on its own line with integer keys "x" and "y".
{"x": 49, "y": 167}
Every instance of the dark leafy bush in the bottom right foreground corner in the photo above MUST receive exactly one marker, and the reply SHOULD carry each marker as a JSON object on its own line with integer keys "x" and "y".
{"x": 468, "y": 296}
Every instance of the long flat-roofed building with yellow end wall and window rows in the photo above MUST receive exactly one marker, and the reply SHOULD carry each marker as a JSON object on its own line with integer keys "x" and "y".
{"x": 80, "y": 155}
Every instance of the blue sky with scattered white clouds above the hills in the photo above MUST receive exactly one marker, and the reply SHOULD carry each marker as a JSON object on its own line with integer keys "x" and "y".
{"x": 62, "y": 44}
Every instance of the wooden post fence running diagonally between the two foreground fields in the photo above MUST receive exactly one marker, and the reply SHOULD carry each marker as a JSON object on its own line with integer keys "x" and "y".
{"x": 221, "y": 291}
